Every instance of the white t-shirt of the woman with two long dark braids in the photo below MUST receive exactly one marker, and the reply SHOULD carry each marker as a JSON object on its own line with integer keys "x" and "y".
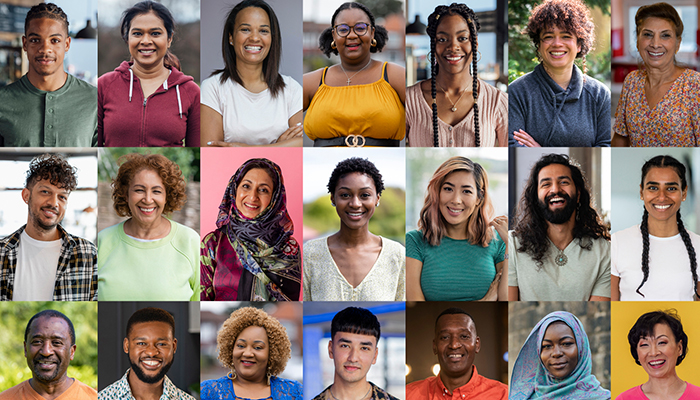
{"x": 669, "y": 279}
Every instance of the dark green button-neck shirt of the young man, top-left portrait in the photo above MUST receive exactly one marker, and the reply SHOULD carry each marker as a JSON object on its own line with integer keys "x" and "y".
{"x": 66, "y": 117}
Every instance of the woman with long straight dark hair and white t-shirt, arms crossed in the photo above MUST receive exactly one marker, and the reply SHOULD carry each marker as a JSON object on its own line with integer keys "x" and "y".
{"x": 248, "y": 103}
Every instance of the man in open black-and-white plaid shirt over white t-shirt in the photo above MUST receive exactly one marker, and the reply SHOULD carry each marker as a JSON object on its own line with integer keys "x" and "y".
{"x": 41, "y": 261}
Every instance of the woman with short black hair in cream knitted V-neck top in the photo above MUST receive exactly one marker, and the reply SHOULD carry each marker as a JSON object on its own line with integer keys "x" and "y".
{"x": 353, "y": 263}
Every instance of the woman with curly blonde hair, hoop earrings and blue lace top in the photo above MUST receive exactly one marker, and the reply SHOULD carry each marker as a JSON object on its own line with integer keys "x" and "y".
{"x": 256, "y": 348}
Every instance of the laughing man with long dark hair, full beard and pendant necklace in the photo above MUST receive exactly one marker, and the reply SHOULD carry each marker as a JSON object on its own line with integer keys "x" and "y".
{"x": 559, "y": 247}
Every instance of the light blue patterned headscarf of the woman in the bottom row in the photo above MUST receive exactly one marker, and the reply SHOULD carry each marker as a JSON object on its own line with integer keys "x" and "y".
{"x": 531, "y": 380}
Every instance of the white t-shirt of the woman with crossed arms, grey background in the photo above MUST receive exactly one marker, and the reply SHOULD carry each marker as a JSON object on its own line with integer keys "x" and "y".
{"x": 252, "y": 118}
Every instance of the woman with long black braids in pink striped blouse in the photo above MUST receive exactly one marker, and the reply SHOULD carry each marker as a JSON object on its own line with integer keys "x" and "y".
{"x": 454, "y": 108}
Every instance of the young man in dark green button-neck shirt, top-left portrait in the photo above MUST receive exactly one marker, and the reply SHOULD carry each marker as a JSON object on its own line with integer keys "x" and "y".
{"x": 47, "y": 106}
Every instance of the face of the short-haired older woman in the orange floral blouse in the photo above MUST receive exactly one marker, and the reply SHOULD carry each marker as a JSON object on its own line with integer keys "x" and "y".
{"x": 657, "y": 42}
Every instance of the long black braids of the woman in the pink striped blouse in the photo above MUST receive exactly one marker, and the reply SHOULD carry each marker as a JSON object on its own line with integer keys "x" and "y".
{"x": 433, "y": 21}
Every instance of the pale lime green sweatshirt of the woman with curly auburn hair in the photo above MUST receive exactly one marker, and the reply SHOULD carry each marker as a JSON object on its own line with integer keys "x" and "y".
{"x": 163, "y": 270}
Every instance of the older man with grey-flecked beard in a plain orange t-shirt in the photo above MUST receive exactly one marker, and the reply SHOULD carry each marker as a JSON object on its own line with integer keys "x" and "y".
{"x": 49, "y": 346}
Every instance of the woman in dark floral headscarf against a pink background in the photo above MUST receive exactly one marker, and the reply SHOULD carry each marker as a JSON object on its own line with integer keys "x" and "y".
{"x": 252, "y": 254}
